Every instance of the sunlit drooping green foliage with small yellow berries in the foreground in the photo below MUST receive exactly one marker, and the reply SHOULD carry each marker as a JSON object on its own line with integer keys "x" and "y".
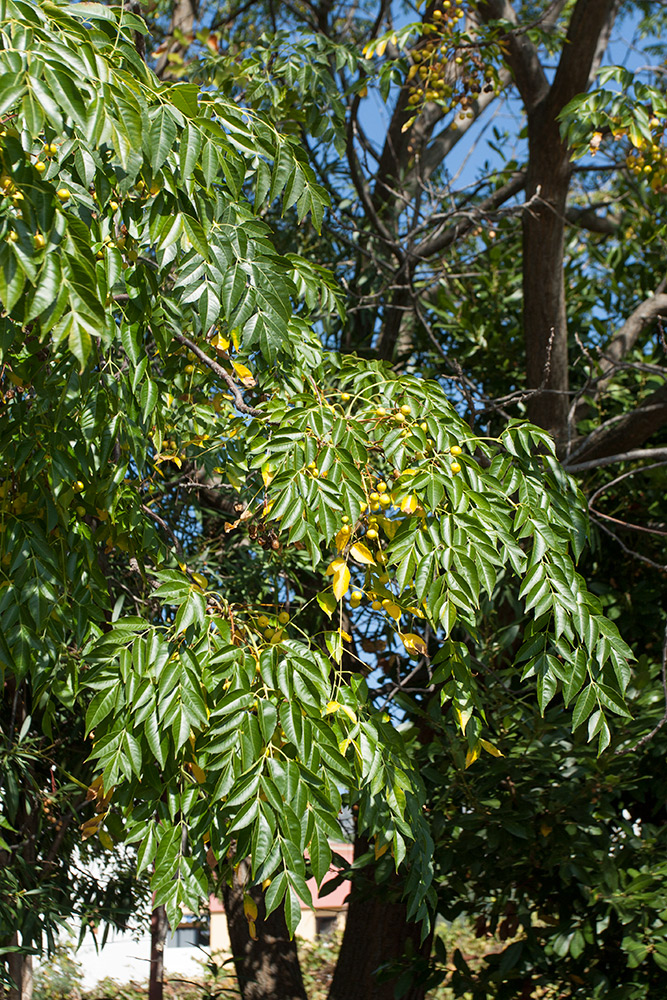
{"x": 340, "y": 473}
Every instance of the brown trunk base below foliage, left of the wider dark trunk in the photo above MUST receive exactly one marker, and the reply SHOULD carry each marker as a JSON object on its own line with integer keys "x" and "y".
{"x": 267, "y": 968}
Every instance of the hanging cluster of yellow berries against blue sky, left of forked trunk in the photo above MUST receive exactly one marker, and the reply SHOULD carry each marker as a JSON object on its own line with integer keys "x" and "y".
{"x": 439, "y": 70}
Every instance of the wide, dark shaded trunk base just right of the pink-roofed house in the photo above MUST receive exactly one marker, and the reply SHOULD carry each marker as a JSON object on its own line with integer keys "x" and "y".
{"x": 378, "y": 936}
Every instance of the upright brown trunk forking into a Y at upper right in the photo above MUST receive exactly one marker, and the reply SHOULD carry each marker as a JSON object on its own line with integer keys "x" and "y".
{"x": 547, "y": 184}
